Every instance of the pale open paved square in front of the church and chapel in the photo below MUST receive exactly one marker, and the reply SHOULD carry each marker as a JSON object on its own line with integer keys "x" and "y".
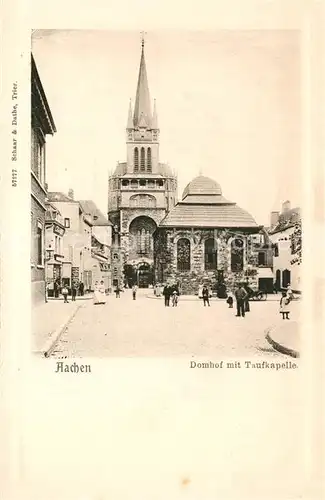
{"x": 144, "y": 327}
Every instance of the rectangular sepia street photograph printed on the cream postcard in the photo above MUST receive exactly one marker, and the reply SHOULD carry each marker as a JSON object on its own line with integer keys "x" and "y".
{"x": 166, "y": 194}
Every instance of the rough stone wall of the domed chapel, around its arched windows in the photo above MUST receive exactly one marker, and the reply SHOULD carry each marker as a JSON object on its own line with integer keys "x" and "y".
{"x": 166, "y": 265}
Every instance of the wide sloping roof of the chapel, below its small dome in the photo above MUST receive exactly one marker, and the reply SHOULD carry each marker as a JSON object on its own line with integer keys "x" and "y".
{"x": 212, "y": 215}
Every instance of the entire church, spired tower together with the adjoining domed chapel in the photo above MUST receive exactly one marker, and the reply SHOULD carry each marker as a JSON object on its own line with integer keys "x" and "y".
{"x": 204, "y": 238}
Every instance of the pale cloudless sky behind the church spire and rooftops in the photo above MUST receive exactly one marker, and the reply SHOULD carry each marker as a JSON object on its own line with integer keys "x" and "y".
{"x": 228, "y": 102}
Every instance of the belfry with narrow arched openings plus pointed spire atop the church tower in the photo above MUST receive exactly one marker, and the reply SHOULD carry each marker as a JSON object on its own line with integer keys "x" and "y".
{"x": 142, "y": 132}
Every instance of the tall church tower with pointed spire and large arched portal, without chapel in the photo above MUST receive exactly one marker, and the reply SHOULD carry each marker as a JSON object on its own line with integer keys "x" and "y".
{"x": 141, "y": 191}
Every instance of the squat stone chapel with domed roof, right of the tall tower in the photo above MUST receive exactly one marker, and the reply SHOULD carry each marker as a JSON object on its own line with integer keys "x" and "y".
{"x": 208, "y": 239}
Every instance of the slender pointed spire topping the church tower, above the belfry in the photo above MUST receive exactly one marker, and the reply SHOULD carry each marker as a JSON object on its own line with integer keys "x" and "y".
{"x": 142, "y": 109}
